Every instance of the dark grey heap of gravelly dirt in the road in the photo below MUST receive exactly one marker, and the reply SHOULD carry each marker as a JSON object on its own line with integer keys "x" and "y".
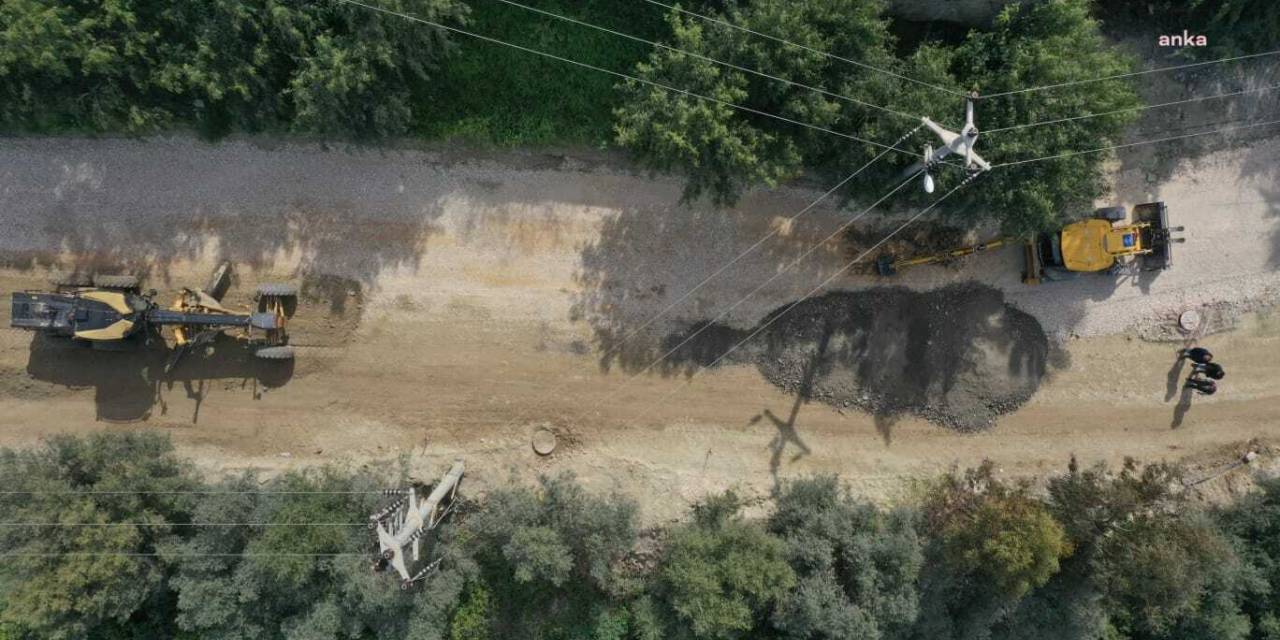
{"x": 959, "y": 356}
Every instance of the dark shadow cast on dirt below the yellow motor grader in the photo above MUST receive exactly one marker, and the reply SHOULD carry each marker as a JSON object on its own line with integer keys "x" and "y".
{"x": 130, "y": 383}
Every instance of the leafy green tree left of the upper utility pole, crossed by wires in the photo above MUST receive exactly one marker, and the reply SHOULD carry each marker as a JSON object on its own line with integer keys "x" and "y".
{"x": 725, "y": 150}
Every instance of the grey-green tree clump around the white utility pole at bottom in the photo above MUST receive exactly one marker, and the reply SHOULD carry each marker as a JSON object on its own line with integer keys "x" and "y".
{"x": 294, "y": 579}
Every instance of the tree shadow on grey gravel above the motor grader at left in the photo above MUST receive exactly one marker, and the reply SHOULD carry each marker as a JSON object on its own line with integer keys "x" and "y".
{"x": 255, "y": 214}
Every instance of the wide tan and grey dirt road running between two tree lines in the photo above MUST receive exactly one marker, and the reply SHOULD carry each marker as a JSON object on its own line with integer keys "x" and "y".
{"x": 454, "y": 304}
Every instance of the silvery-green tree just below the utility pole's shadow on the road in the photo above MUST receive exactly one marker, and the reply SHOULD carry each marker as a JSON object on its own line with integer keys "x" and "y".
{"x": 857, "y": 566}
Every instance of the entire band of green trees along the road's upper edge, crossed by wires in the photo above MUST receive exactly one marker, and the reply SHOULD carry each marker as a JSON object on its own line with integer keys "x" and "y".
{"x": 341, "y": 71}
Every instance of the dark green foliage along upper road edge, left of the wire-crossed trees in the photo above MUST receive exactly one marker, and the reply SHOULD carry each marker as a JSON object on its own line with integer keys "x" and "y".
{"x": 324, "y": 67}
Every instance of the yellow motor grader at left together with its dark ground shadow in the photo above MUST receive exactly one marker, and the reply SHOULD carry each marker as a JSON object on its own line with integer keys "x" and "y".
{"x": 104, "y": 333}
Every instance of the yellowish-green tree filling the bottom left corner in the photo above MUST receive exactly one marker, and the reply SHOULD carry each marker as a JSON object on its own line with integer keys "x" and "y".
{"x": 94, "y": 579}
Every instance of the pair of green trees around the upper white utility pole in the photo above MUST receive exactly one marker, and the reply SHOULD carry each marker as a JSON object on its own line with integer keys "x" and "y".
{"x": 726, "y": 150}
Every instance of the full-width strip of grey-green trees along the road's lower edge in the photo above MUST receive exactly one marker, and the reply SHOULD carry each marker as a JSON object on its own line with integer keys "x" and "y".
{"x": 1100, "y": 555}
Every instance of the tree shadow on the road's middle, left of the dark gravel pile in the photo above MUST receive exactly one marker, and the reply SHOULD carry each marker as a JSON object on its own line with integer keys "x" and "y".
{"x": 683, "y": 263}
